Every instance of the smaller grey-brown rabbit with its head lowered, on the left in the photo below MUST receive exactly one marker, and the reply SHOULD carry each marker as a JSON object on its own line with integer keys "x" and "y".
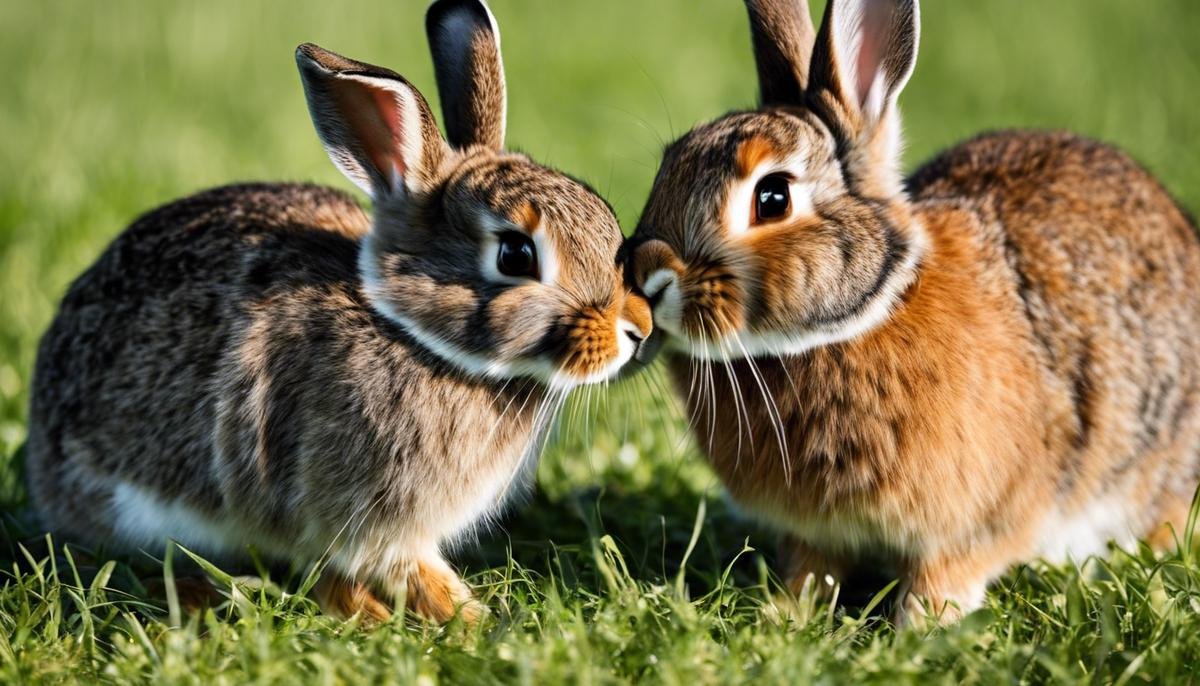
{"x": 265, "y": 365}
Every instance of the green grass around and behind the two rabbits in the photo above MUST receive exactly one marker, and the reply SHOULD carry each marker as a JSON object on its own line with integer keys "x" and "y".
{"x": 627, "y": 565}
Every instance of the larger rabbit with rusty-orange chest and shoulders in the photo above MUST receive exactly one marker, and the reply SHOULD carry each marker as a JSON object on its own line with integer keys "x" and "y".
{"x": 994, "y": 360}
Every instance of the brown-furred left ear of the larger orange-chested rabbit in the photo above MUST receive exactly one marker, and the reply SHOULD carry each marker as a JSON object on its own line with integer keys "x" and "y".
{"x": 783, "y": 35}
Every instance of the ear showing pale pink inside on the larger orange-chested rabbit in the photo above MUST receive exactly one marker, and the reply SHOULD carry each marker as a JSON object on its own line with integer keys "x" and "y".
{"x": 865, "y": 56}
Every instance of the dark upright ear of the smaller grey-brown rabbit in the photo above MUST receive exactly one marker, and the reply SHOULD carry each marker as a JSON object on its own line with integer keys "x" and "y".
{"x": 466, "y": 46}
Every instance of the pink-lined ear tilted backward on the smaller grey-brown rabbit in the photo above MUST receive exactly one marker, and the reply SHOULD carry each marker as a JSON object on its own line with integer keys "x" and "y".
{"x": 377, "y": 128}
